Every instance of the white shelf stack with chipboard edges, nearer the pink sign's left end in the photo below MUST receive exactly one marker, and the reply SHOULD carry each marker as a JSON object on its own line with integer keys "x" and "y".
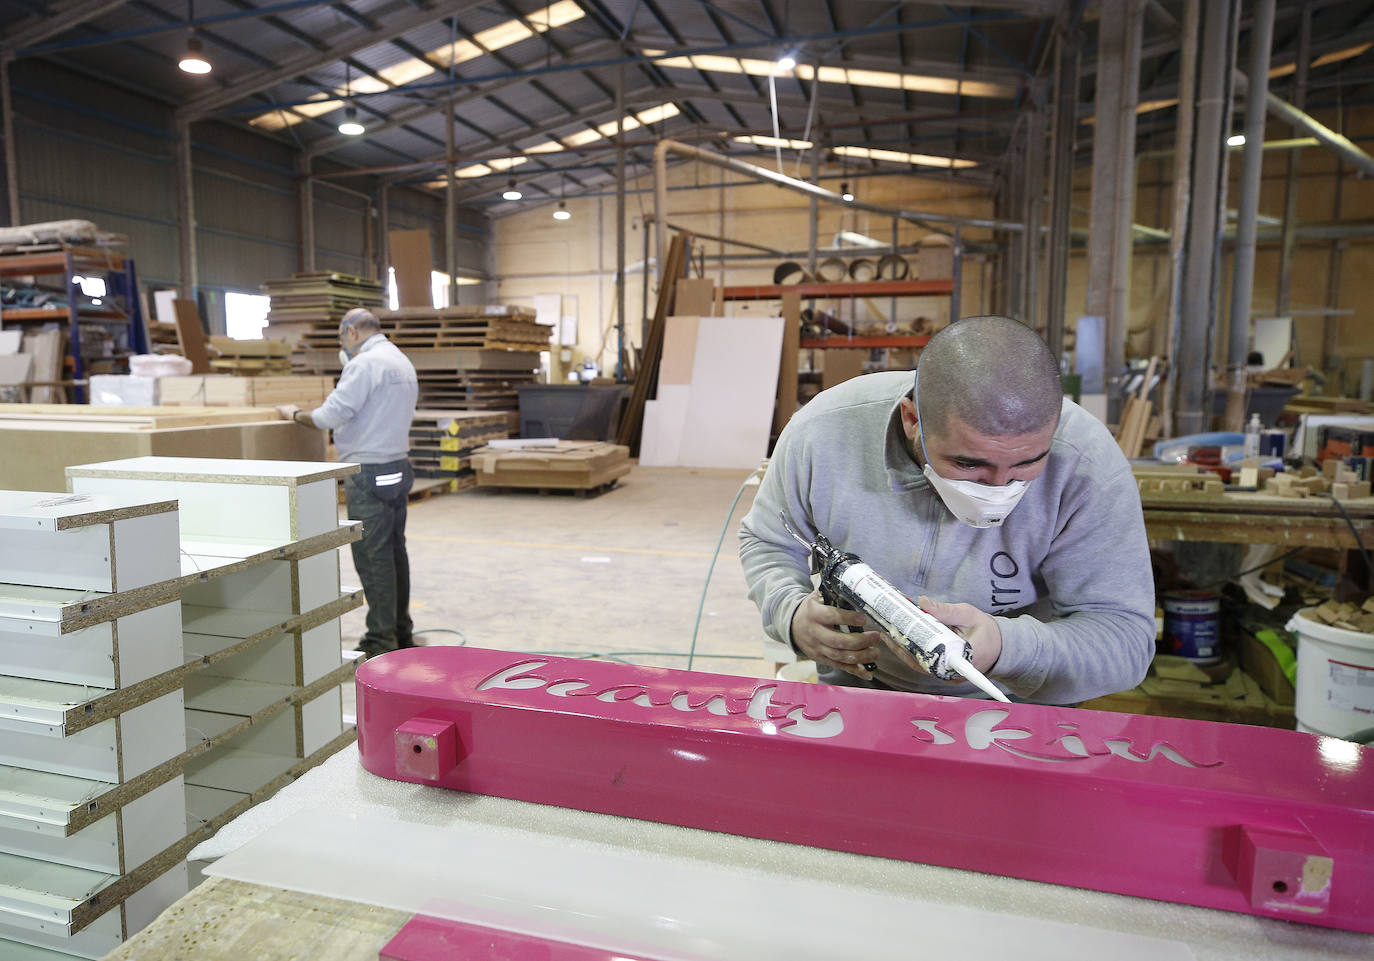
{"x": 260, "y": 615}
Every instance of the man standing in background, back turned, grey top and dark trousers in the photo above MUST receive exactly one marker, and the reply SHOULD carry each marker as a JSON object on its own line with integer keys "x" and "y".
{"x": 370, "y": 413}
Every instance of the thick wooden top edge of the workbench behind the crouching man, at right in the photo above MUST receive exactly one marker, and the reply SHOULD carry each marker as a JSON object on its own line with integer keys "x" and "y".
{"x": 1258, "y": 519}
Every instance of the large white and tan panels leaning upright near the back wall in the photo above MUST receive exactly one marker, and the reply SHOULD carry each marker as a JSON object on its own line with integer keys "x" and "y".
{"x": 718, "y": 386}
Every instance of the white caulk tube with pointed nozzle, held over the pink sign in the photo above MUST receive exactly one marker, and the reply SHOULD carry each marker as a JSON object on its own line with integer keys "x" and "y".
{"x": 938, "y": 650}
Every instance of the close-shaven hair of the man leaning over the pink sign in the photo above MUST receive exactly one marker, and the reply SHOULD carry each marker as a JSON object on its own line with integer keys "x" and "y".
{"x": 994, "y": 373}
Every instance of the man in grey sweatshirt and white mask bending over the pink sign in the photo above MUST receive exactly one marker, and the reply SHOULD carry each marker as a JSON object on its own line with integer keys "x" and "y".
{"x": 976, "y": 487}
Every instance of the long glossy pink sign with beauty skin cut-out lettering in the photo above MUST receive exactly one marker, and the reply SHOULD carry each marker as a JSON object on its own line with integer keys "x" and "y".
{"x": 1221, "y": 816}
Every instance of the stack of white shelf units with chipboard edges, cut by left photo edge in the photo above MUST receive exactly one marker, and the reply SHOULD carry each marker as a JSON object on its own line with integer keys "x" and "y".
{"x": 91, "y": 798}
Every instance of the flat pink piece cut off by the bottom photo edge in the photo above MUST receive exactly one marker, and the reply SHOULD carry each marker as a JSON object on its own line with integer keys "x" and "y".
{"x": 438, "y": 940}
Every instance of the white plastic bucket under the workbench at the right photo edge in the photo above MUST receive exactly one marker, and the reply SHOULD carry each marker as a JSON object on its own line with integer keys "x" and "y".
{"x": 1335, "y": 677}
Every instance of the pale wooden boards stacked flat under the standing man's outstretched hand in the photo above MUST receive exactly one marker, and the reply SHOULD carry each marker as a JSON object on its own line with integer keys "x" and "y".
{"x": 42, "y": 441}
